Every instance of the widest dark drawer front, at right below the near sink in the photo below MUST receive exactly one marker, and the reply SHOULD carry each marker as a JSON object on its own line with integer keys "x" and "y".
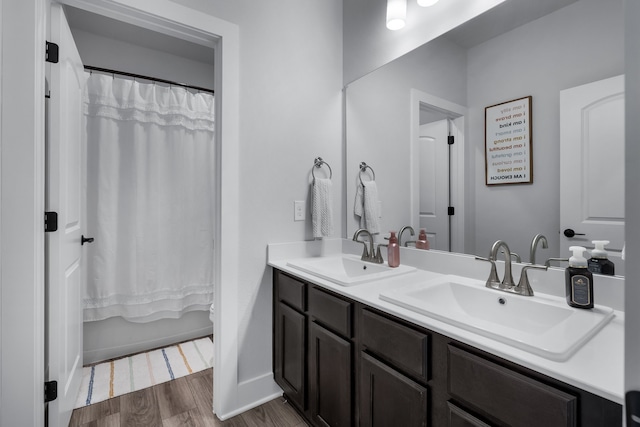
{"x": 505, "y": 395}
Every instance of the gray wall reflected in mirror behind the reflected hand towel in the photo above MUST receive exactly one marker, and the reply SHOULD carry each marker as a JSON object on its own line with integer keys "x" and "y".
{"x": 378, "y": 108}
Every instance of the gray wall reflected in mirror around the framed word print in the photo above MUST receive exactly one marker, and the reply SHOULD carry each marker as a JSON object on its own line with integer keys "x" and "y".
{"x": 578, "y": 44}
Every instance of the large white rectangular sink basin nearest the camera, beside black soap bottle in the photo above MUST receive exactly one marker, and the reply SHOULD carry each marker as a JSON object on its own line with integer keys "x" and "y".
{"x": 543, "y": 324}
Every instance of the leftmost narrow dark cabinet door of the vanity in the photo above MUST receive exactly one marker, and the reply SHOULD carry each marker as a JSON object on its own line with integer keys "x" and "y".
{"x": 289, "y": 357}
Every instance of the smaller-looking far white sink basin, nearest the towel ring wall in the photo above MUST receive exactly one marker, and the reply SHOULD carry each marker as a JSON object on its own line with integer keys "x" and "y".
{"x": 347, "y": 270}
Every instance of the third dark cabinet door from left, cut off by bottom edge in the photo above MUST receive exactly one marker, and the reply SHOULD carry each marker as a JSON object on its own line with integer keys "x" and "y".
{"x": 388, "y": 398}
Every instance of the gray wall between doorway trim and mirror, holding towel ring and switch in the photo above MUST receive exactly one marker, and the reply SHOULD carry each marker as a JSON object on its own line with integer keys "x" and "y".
{"x": 290, "y": 113}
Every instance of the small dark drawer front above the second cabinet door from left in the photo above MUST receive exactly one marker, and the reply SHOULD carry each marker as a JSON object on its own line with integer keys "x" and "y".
{"x": 333, "y": 312}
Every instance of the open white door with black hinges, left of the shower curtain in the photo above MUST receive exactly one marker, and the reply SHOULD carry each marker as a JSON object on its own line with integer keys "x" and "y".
{"x": 65, "y": 170}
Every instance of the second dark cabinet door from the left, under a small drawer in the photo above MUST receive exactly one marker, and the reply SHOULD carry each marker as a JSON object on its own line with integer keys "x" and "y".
{"x": 330, "y": 384}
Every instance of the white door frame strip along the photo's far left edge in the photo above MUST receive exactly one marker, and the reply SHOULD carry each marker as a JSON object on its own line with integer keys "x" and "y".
{"x": 22, "y": 213}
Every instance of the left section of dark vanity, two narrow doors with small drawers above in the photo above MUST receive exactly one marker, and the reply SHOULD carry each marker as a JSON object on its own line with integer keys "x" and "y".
{"x": 313, "y": 351}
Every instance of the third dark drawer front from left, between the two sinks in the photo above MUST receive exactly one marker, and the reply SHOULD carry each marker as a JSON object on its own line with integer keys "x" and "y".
{"x": 401, "y": 346}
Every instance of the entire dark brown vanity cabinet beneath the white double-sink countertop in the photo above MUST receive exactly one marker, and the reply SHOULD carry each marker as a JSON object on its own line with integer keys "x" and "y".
{"x": 342, "y": 363}
